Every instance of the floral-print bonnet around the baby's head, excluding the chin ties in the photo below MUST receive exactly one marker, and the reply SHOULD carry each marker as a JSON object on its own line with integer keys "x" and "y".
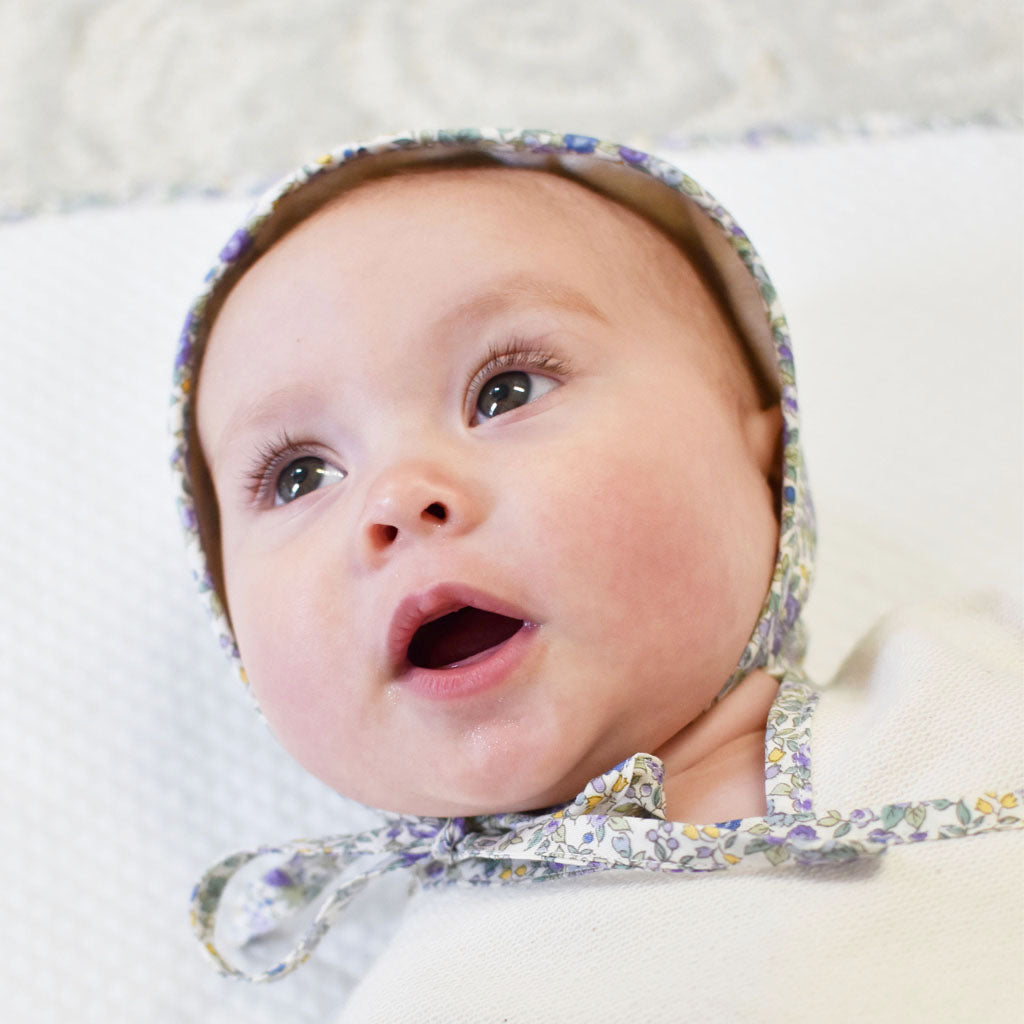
{"x": 657, "y": 190}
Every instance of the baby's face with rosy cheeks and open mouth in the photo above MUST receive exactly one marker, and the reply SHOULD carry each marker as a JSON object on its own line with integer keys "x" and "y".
{"x": 471, "y": 391}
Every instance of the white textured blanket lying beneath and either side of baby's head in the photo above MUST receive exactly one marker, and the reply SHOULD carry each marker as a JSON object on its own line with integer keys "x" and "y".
{"x": 130, "y": 759}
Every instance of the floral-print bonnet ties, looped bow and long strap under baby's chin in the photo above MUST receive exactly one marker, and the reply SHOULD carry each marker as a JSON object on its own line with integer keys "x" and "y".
{"x": 617, "y": 823}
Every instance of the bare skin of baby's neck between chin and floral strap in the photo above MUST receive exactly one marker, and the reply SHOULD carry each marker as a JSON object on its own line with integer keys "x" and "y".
{"x": 714, "y": 769}
